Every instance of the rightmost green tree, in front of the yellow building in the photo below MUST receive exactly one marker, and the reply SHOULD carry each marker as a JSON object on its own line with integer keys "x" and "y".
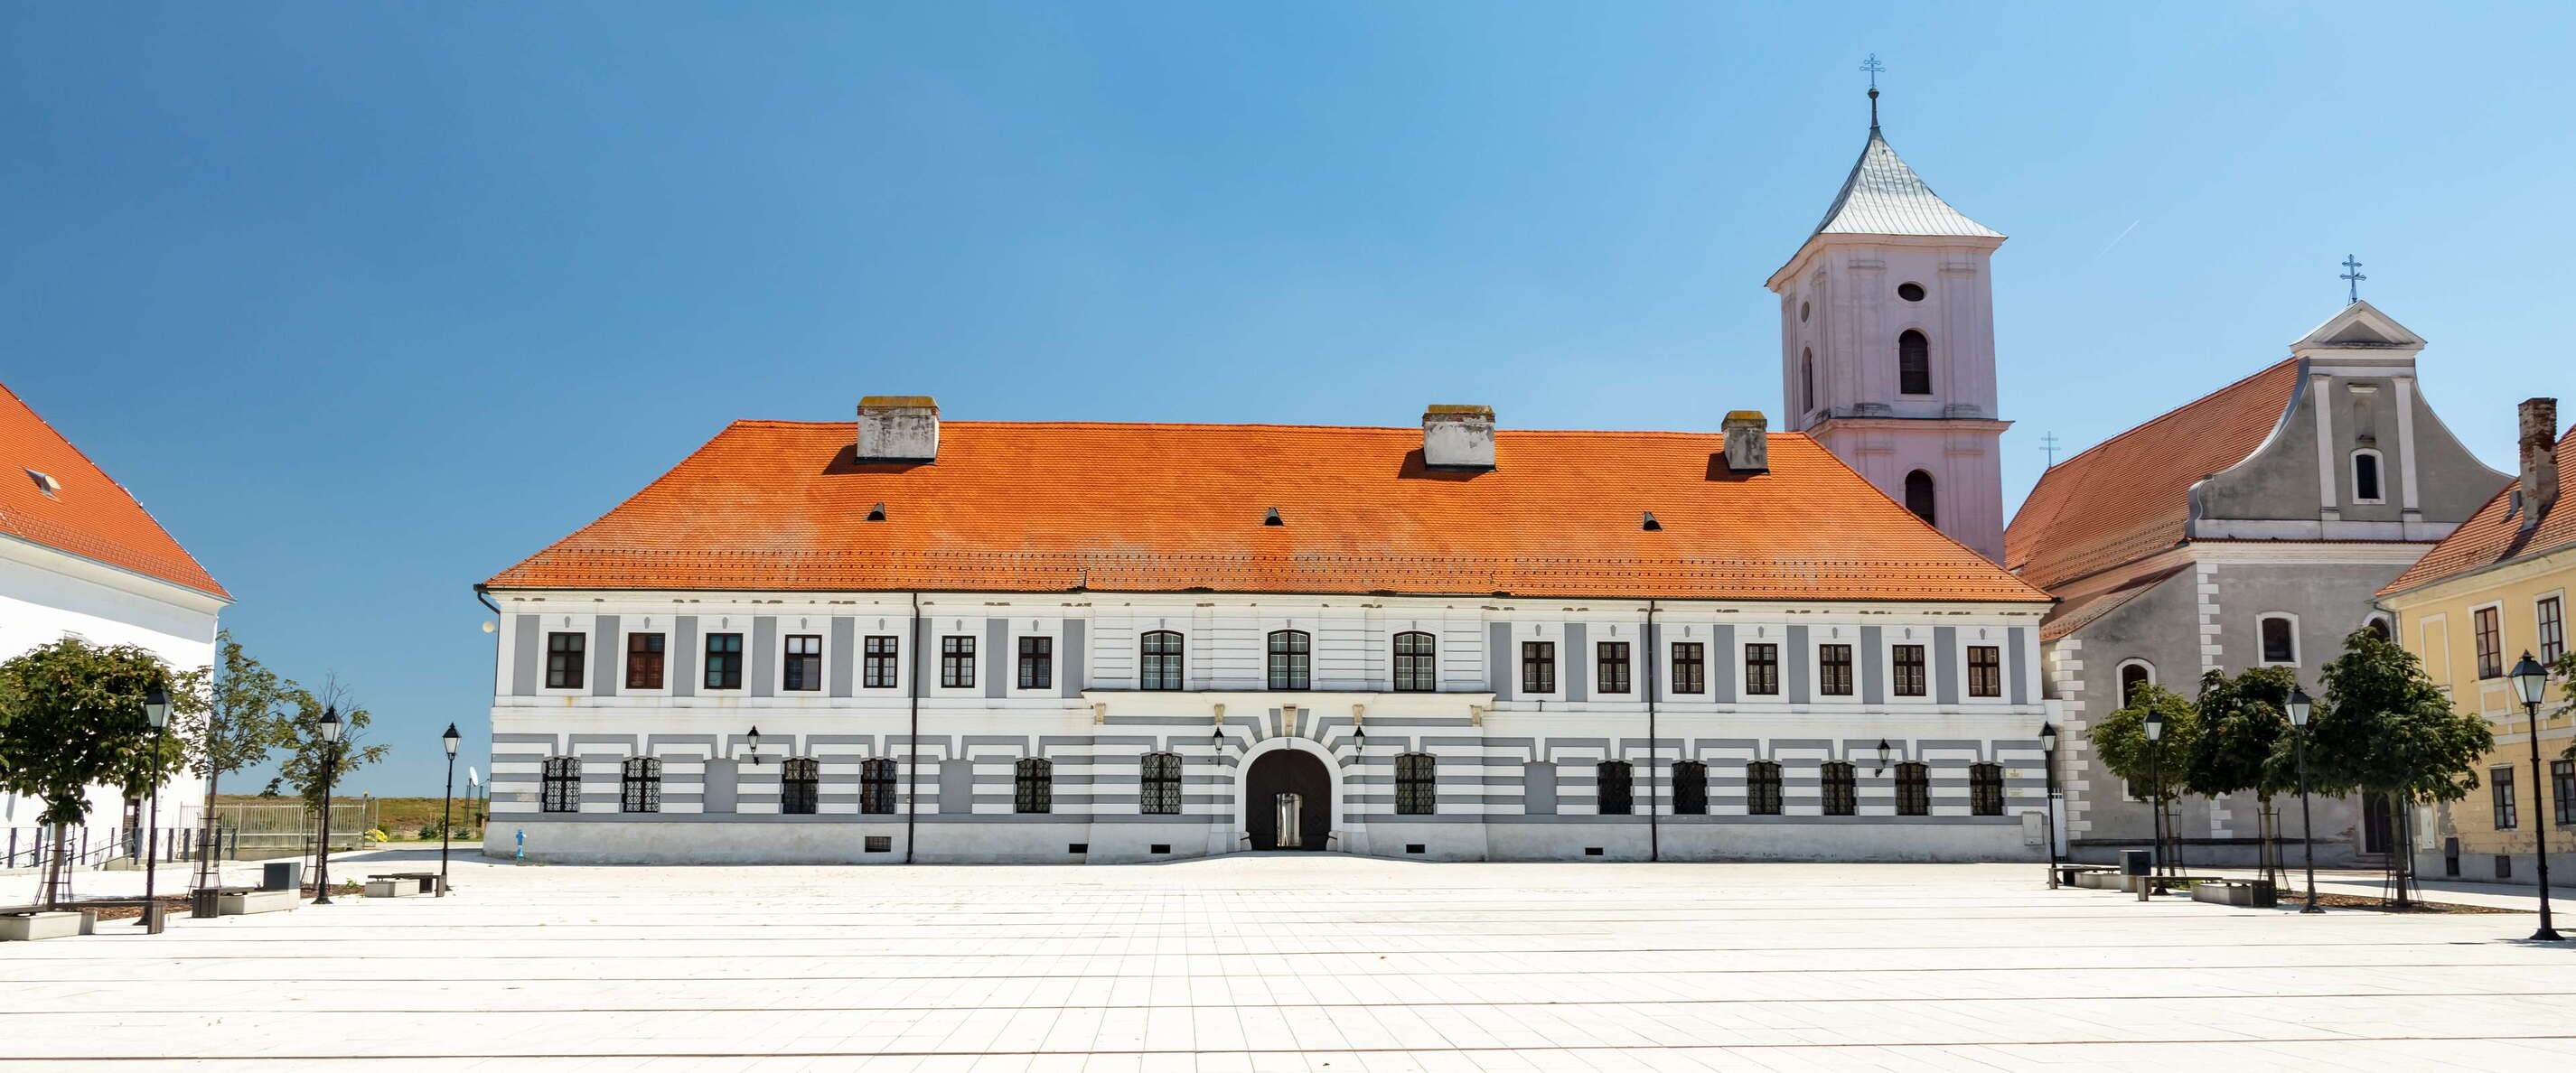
{"x": 2384, "y": 727}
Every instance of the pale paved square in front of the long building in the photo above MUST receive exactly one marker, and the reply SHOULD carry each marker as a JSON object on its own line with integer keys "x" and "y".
{"x": 1289, "y": 964}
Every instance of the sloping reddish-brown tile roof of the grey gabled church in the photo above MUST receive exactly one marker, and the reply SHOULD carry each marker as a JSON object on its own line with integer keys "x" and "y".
{"x": 2129, "y": 495}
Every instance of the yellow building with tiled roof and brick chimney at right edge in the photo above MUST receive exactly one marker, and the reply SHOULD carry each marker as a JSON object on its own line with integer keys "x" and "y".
{"x": 2472, "y": 609}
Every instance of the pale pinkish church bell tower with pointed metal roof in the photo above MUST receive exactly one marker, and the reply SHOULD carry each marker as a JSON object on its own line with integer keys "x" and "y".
{"x": 1887, "y": 346}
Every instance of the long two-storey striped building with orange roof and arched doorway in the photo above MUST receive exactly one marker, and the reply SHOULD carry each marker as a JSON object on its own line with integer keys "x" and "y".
{"x": 1068, "y": 642}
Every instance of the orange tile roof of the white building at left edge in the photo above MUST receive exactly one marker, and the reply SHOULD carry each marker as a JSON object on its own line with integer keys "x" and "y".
{"x": 91, "y": 516}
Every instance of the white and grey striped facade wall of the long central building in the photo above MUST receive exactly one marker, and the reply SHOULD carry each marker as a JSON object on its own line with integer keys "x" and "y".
{"x": 1516, "y": 771}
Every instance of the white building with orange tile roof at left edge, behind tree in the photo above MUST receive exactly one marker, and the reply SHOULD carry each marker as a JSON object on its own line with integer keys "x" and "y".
{"x": 81, "y": 557}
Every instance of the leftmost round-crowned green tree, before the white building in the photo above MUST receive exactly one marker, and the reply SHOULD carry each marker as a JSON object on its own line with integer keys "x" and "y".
{"x": 73, "y": 717}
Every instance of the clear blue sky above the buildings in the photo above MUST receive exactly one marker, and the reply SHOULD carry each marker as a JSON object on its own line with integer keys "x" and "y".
{"x": 370, "y": 302}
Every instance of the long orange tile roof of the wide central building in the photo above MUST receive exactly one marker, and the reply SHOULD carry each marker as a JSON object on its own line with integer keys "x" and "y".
{"x": 1171, "y": 508}
